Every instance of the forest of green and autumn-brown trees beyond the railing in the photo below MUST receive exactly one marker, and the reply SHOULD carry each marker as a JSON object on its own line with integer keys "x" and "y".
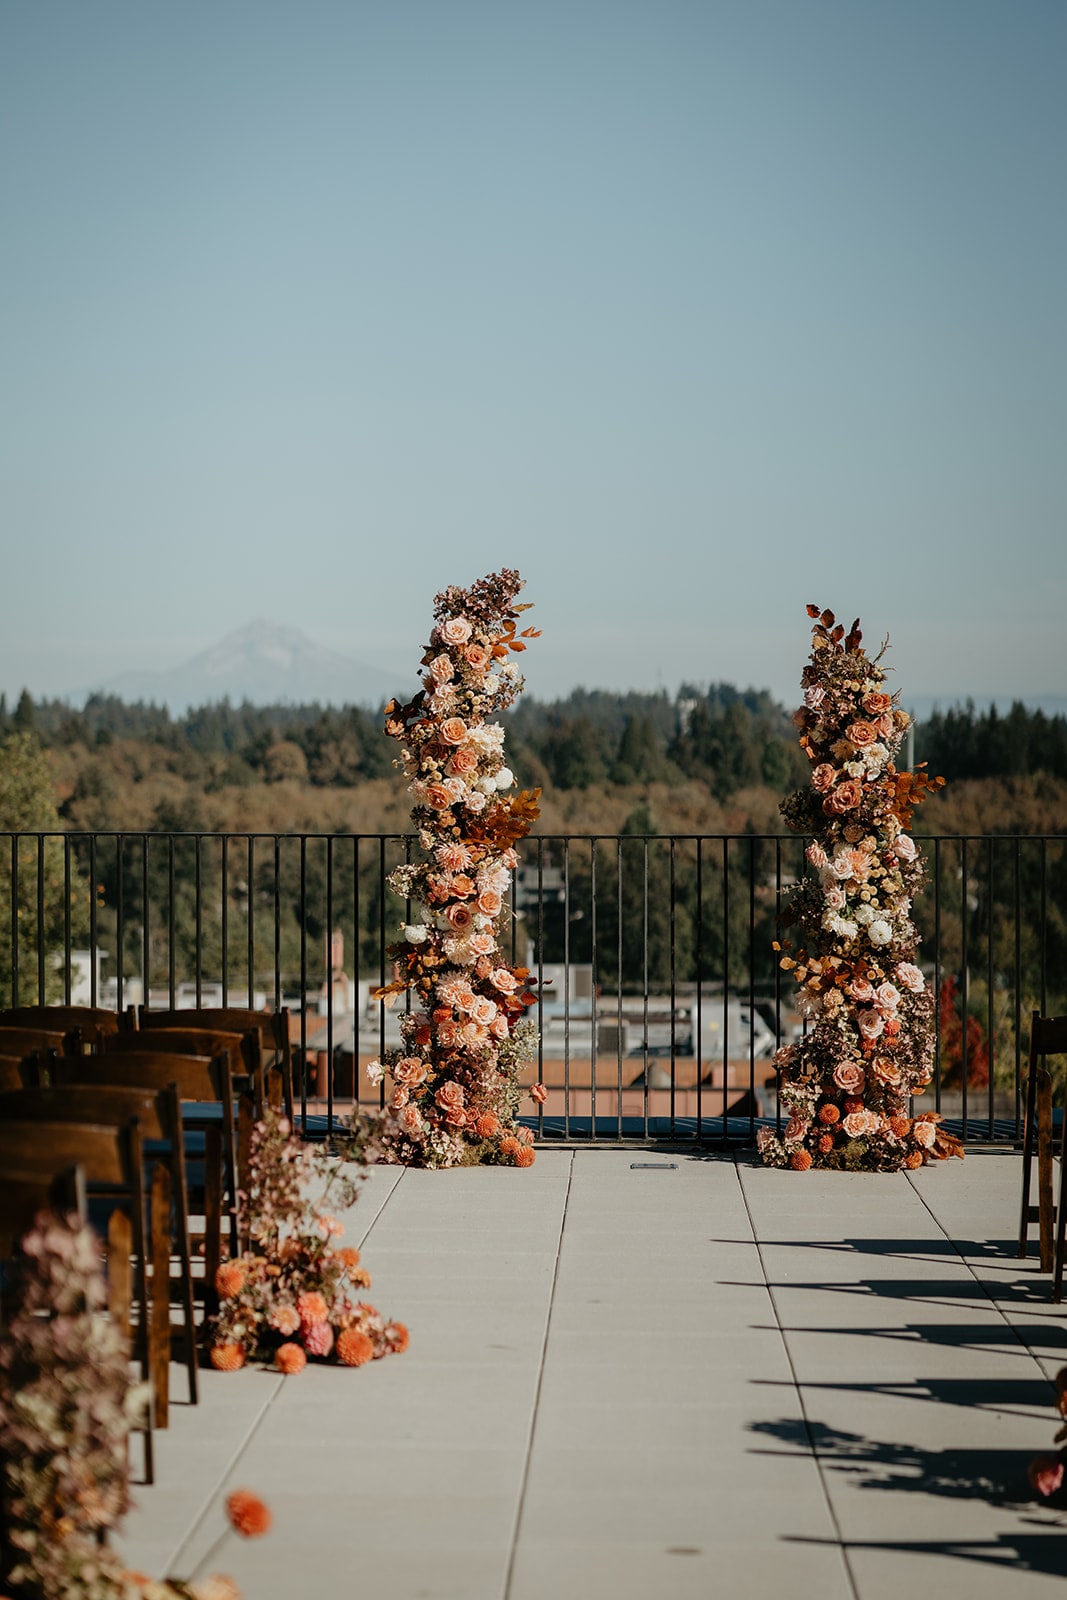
{"x": 631, "y": 769}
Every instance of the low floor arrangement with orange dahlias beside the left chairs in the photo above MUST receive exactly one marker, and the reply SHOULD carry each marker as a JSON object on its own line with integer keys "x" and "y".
{"x": 289, "y": 1297}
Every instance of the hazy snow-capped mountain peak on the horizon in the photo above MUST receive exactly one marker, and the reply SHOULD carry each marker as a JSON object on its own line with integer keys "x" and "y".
{"x": 265, "y": 663}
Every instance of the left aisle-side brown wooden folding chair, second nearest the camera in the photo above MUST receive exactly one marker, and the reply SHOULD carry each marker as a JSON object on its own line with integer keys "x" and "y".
{"x": 113, "y": 1162}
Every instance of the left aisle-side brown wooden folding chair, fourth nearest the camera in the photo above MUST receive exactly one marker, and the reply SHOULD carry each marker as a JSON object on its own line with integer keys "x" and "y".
{"x": 202, "y": 1082}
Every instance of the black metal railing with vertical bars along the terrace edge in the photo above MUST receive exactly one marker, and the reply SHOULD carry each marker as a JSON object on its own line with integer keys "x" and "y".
{"x": 661, "y": 996}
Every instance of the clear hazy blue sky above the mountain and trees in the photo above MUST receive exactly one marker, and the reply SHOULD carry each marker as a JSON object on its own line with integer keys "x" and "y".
{"x": 690, "y": 311}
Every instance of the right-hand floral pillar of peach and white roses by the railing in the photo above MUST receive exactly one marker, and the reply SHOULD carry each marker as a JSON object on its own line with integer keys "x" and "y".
{"x": 849, "y": 1082}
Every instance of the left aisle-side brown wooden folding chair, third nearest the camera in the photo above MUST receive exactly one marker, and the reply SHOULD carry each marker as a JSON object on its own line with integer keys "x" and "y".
{"x": 78, "y": 1095}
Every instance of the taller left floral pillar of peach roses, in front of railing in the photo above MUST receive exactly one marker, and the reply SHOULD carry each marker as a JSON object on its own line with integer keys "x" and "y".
{"x": 455, "y": 1081}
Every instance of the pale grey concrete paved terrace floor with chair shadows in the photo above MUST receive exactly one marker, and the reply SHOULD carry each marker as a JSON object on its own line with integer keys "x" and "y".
{"x": 639, "y": 1380}
